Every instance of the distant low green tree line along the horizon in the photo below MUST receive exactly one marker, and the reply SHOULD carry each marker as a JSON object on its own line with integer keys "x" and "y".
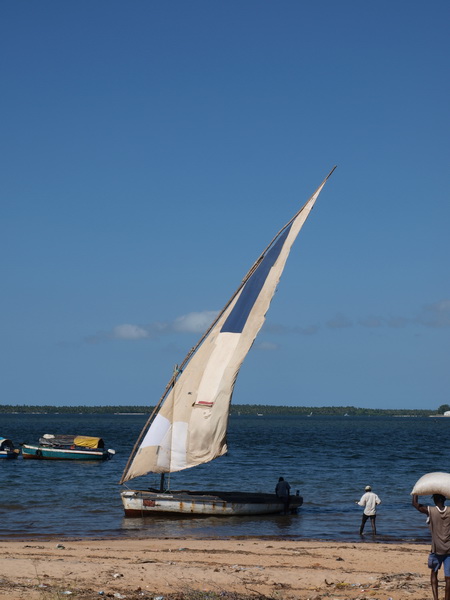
{"x": 236, "y": 409}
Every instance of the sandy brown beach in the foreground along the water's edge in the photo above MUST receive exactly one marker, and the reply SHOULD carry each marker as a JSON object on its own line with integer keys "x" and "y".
{"x": 157, "y": 569}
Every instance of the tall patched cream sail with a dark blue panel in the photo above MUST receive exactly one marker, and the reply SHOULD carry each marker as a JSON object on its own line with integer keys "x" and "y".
{"x": 190, "y": 427}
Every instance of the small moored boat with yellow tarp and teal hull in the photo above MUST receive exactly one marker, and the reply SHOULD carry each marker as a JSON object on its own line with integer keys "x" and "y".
{"x": 67, "y": 447}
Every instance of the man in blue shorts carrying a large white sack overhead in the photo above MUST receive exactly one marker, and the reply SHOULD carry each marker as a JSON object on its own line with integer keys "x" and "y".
{"x": 439, "y": 520}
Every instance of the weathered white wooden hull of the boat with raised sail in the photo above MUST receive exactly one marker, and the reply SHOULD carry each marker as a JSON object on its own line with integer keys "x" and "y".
{"x": 147, "y": 503}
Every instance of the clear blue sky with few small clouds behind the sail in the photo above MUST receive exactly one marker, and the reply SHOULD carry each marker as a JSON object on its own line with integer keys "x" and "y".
{"x": 150, "y": 150}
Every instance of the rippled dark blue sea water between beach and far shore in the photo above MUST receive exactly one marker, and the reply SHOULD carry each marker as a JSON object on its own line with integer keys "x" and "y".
{"x": 329, "y": 459}
